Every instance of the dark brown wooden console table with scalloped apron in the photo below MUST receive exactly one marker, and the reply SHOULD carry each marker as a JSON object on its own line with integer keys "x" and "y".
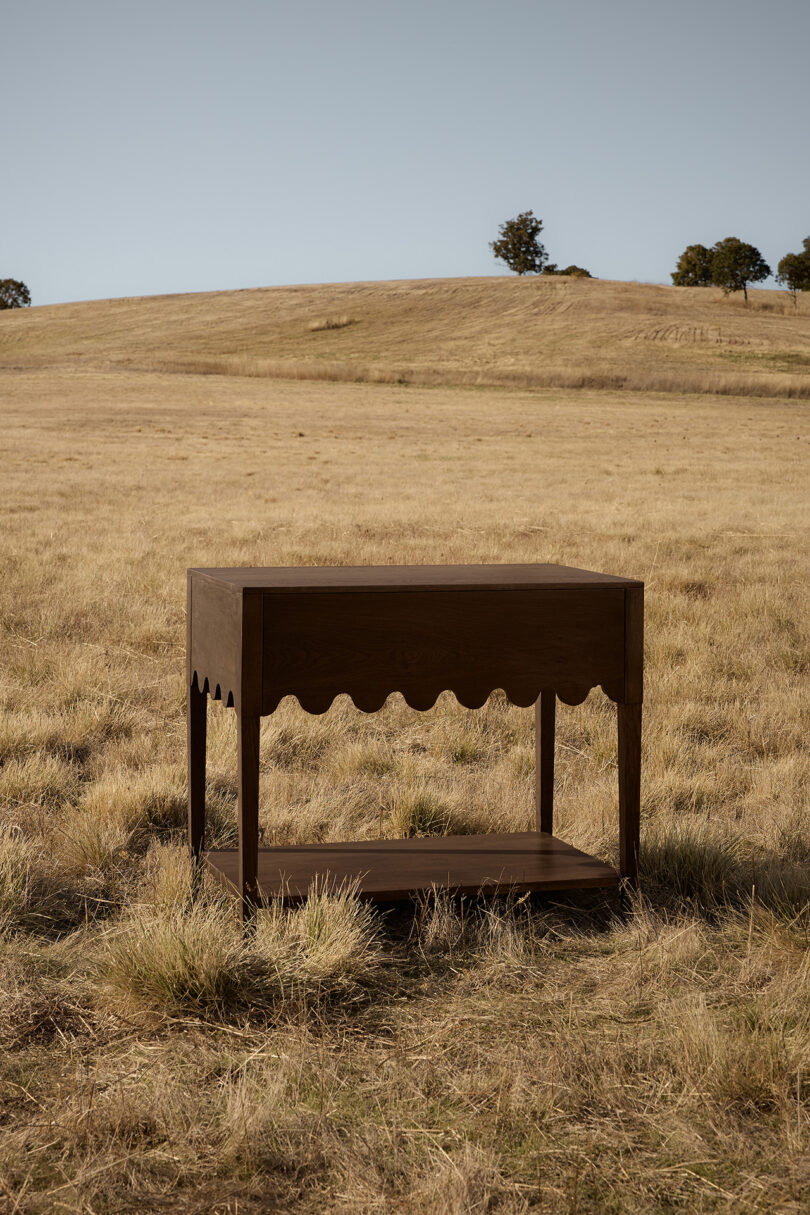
{"x": 539, "y": 632}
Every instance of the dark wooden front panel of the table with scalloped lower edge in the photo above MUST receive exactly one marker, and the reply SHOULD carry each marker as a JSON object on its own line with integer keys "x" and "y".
{"x": 319, "y": 646}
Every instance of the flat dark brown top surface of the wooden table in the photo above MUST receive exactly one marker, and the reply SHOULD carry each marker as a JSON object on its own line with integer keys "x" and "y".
{"x": 412, "y": 578}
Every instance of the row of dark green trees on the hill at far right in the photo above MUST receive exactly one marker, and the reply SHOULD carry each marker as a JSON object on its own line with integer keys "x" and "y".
{"x": 733, "y": 265}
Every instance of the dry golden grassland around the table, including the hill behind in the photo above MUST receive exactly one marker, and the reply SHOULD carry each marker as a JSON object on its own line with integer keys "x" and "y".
{"x": 512, "y": 1056}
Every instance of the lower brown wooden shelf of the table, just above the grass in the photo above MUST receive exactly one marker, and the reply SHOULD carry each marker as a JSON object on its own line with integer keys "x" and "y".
{"x": 396, "y": 869}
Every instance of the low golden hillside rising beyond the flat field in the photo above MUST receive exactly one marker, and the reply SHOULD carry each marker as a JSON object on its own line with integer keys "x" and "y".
{"x": 533, "y": 332}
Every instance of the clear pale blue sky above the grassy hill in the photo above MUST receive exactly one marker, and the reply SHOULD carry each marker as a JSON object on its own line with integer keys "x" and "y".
{"x": 154, "y": 146}
